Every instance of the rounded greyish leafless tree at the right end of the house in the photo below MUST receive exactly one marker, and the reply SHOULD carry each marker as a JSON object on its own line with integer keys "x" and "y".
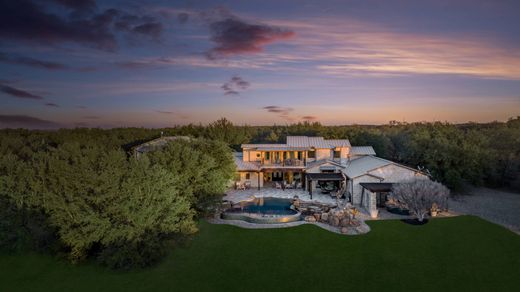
{"x": 420, "y": 195}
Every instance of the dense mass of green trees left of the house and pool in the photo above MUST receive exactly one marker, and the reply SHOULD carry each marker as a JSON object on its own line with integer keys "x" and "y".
{"x": 77, "y": 193}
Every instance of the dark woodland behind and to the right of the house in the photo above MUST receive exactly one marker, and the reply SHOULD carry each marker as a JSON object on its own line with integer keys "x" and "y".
{"x": 480, "y": 154}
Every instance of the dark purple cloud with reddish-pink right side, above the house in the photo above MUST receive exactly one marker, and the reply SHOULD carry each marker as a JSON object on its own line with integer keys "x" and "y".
{"x": 234, "y": 36}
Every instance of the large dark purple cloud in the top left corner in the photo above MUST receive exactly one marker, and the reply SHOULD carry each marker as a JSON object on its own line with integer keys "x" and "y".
{"x": 23, "y": 20}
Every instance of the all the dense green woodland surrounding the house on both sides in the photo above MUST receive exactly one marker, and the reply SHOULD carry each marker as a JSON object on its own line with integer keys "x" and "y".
{"x": 79, "y": 193}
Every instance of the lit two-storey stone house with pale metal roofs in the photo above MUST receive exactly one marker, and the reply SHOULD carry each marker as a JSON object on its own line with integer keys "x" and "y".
{"x": 317, "y": 164}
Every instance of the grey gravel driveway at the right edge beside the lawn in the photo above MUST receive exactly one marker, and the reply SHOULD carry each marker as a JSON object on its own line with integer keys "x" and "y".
{"x": 496, "y": 206}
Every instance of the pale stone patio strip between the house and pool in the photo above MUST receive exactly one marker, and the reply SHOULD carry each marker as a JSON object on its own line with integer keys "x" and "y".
{"x": 236, "y": 196}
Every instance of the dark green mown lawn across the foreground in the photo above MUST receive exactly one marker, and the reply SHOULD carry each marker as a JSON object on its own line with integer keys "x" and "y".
{"x": 446, "y": 254}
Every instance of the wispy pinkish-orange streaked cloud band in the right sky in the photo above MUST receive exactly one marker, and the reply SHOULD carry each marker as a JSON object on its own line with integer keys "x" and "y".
{"x": 351, "y": 47}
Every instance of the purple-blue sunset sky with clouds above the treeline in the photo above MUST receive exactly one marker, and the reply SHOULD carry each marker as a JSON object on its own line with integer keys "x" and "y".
{"x": 88, "y": 63}
